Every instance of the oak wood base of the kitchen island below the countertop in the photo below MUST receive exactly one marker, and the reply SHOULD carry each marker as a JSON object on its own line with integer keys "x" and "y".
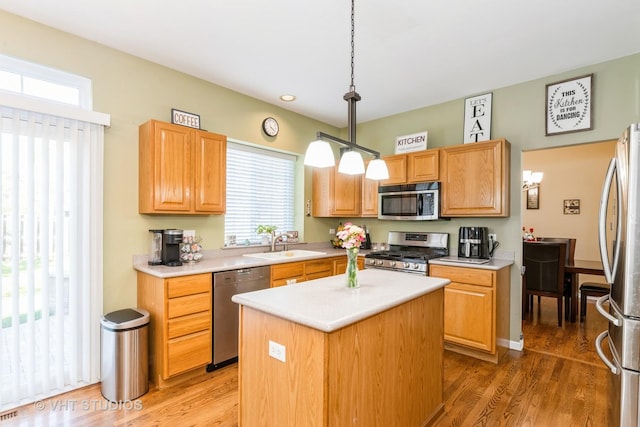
{"x": 385, "y": 370}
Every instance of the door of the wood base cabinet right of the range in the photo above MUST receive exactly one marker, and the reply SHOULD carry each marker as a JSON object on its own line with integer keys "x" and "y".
{"x": 469, "y": 316}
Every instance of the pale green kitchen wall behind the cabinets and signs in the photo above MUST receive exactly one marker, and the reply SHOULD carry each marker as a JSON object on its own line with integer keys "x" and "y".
{"x": 133, "y": 90}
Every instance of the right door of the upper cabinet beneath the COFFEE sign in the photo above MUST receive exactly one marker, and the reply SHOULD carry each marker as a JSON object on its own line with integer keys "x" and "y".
{"x": 210, "y": 175}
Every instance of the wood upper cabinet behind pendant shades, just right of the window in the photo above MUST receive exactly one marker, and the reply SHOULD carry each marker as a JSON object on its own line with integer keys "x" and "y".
{"x": 336, "y": 194}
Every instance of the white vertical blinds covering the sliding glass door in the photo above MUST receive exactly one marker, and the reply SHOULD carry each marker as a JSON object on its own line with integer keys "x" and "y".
{"x": 51, "y": 228}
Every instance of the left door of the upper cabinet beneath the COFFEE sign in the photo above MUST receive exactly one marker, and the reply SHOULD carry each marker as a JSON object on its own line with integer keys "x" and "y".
{"x": 166, "y": 162}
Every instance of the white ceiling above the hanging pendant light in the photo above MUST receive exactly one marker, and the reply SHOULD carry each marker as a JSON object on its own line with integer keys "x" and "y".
{"x": 408, "y": 53}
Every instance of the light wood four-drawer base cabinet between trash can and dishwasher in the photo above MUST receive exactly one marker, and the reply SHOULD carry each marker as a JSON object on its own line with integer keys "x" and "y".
{"x": 180, "y": 324}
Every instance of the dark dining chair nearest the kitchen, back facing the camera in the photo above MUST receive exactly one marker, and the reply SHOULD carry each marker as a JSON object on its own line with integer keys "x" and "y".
{"x": 543, "y": 275}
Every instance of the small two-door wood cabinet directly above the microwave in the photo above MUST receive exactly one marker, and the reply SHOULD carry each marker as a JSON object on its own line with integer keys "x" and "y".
{"x": 419, "y": 166}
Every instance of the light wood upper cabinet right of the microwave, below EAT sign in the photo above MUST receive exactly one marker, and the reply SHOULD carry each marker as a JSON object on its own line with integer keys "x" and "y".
{"x": 475, "y": 179}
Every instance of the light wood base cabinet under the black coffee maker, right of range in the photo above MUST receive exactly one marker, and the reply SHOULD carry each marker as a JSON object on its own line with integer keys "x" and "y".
{"x": 476, "y": 310}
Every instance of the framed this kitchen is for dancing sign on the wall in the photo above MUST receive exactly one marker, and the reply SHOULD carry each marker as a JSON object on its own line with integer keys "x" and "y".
{"x": 568, "y": 106}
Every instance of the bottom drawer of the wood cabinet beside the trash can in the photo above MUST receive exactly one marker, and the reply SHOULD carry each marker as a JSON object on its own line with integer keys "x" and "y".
{"x": 188, "y": 352}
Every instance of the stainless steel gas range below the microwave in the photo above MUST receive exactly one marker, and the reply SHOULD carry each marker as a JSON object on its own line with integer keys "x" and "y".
{"x": 409, "y": 251}
